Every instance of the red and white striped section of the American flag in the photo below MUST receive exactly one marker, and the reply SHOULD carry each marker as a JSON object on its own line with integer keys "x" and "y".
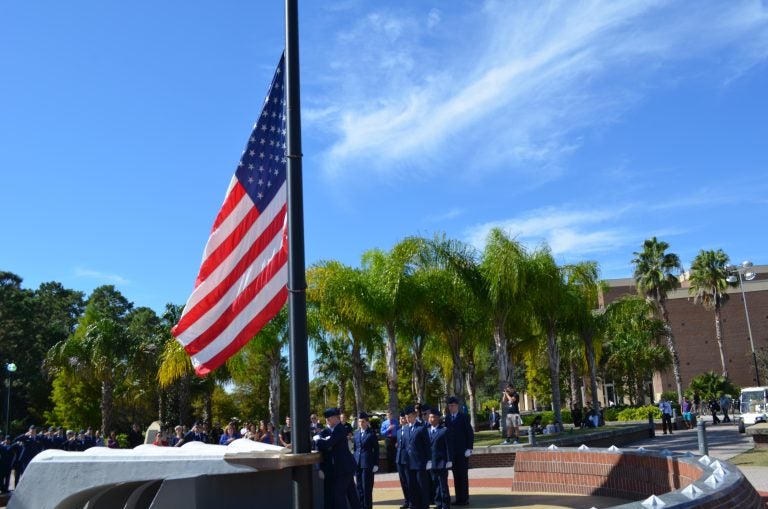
{"x": 242, "y": 281}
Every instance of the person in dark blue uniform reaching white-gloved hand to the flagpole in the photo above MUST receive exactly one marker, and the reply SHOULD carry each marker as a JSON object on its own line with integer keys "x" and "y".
{"x": 339, "y": 464}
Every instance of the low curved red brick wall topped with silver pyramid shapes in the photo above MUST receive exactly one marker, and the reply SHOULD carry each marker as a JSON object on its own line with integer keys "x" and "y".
{"x": 687, "y": 481}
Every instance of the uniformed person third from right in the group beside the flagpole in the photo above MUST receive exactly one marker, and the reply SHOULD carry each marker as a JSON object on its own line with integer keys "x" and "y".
{"x": 417, "y": 448}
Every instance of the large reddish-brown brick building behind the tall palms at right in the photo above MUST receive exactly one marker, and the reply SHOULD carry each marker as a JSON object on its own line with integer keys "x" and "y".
{"x": 693, "y": 327}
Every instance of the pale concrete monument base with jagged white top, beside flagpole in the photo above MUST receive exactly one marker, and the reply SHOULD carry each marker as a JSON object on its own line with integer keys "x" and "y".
{"x": 196, "y": 476}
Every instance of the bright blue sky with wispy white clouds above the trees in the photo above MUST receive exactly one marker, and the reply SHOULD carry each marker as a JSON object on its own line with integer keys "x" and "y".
{"x": 590, "y": 126}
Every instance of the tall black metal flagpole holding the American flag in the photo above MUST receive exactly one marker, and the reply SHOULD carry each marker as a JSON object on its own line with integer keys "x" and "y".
{"x": 297, "y": 284}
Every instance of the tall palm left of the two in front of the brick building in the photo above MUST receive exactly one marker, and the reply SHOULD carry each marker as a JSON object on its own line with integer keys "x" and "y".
{"x": 654, "y": 277}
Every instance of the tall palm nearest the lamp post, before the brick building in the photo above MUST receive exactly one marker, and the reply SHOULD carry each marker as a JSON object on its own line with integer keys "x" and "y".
{"x": 708, "y": 283}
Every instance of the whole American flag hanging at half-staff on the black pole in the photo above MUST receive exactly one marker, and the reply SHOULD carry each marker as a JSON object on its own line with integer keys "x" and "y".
{"x": 243, "y": 276}
